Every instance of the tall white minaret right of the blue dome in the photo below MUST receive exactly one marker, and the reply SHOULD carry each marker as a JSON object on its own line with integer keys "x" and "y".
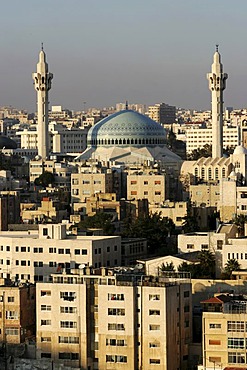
{"x": 217, "y": 83}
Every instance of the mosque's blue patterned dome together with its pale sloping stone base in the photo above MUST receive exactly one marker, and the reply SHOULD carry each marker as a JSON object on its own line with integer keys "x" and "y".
{"x": 128, "y": 137}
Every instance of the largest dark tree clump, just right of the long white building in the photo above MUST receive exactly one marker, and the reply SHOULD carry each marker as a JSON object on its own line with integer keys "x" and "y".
{"x": 155, "y": 229}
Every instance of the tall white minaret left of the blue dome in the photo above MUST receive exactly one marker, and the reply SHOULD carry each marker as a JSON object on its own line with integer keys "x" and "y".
{"x": 42, "y": 83}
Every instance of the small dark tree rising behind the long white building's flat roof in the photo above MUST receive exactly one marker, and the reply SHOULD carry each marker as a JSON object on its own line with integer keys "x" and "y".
{"x": 100, "y": 220}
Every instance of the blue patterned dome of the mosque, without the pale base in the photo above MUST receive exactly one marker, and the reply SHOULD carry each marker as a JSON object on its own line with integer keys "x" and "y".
{"x": 126, "y": 128}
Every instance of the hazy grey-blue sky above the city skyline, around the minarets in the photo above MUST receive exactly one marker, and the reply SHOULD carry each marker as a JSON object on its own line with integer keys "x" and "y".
{"x": 106, "y": 51}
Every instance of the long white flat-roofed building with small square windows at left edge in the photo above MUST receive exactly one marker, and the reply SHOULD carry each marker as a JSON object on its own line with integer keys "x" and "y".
{"x": 31, "y": 255}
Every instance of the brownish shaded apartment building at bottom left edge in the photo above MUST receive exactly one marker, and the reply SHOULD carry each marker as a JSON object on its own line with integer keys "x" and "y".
{"x": 17, "y": 312}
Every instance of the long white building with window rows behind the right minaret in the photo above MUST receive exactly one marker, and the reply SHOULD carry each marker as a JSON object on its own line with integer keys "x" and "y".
{"x": 197, "y": 138}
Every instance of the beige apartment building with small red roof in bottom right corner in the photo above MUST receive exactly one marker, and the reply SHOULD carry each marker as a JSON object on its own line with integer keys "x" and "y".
{"x": 224, "y": 332}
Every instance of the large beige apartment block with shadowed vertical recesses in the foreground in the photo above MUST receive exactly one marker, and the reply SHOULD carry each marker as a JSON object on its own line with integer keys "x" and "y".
{"x": 114, "y": 320}
